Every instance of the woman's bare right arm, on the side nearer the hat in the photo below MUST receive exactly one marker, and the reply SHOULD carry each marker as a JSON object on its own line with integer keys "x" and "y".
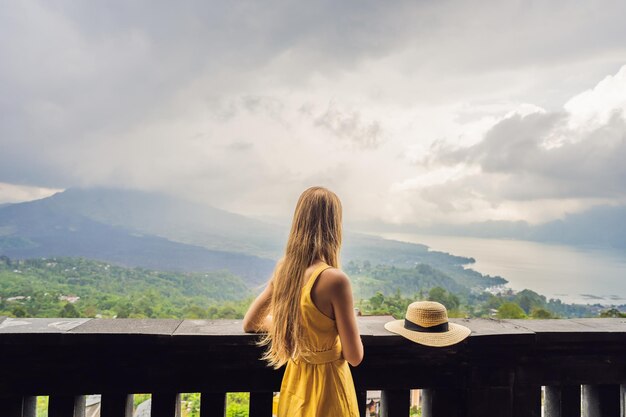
{"x": 343, "y": 307}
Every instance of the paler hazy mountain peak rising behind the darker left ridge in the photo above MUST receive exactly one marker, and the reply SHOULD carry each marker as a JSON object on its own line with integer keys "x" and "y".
{"x": 172, "y": 218}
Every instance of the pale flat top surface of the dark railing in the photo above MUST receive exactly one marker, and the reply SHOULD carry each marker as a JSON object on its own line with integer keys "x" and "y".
{"x": 371, "y": 328}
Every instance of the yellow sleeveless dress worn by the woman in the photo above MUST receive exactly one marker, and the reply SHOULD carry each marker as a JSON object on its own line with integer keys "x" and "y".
{"x": 319, "y": 383}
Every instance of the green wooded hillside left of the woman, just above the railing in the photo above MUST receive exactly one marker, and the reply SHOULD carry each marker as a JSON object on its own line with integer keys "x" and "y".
{"x": 49, "y": 287}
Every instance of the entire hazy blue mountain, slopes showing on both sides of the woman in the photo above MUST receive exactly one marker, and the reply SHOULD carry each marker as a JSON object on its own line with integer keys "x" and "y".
{"x": 149, "y": 230}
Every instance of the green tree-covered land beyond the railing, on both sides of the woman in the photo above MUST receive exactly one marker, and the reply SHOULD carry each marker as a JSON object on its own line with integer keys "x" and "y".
{"x": 75, "y": 287}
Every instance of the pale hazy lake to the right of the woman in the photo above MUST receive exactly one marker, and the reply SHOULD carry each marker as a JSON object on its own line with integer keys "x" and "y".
{"x": 572, "y": 274}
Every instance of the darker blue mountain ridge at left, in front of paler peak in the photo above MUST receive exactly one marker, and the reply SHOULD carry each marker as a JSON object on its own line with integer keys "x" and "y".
{"x": 45, "y": 228}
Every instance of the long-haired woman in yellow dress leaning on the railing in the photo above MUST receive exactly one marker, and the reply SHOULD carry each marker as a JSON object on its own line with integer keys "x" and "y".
{"x": 307, "y": 311}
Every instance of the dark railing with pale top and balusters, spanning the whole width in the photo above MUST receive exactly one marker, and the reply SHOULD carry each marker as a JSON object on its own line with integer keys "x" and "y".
{"x": 499, "y": 371}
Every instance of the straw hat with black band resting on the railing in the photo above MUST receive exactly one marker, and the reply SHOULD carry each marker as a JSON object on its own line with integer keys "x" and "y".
{"x": 426, "y": 323}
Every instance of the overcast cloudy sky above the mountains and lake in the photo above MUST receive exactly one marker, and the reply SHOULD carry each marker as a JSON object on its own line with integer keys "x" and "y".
{"x": 413, "y": 112}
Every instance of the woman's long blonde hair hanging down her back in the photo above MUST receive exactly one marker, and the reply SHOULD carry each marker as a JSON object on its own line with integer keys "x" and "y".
{"x": 315, "y": 235}
